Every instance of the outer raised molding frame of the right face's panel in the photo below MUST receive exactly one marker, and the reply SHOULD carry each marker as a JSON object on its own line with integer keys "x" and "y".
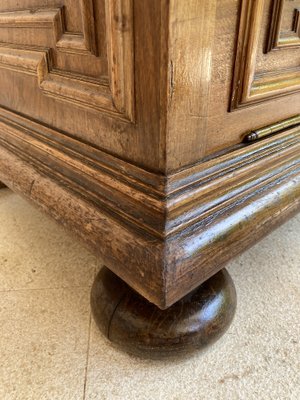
{"x": 250, "y": 87}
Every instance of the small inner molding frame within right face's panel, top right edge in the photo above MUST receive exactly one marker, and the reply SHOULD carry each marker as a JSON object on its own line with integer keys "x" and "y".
{"x": 282, "y": 40}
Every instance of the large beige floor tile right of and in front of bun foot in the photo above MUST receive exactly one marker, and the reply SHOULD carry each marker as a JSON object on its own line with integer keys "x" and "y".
{"x": 259, "y": 357}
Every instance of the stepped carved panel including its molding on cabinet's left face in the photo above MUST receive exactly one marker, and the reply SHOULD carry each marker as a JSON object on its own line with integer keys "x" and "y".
{"x": 64, "y": 47}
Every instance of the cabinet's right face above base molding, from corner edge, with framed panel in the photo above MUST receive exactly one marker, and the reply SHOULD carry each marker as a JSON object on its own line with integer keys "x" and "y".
{"x": 236, "y": 67}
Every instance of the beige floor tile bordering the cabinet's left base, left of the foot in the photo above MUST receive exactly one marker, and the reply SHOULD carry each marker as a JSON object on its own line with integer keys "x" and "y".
{"x": 35, "y": 252}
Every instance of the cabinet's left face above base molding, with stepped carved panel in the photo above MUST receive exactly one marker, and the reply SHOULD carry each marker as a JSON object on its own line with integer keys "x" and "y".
{"x": 69, "y": 64}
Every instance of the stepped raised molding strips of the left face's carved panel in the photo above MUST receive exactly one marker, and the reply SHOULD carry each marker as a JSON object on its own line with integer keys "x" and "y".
{"x": 114, "y": 97}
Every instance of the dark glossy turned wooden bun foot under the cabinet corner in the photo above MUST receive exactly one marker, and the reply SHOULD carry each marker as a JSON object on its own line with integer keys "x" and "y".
{"x": 141, "y": 328}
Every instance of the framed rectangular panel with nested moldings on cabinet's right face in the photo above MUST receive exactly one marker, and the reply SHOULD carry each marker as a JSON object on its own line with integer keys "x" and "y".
{"x": 260, "y": 73}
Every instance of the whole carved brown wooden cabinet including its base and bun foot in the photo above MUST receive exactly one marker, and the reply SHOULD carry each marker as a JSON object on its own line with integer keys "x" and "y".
{"x": 126, "y": 120}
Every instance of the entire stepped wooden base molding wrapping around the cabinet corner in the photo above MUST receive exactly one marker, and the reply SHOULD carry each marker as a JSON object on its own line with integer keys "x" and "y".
{"x": 162, "y": 234}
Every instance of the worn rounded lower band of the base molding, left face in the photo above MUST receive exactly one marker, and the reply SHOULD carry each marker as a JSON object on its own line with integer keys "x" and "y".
{"x": 133, "y": 256}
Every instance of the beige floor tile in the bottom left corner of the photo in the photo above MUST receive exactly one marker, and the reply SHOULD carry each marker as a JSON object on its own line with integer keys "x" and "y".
{"x": 43, "y": 344}
